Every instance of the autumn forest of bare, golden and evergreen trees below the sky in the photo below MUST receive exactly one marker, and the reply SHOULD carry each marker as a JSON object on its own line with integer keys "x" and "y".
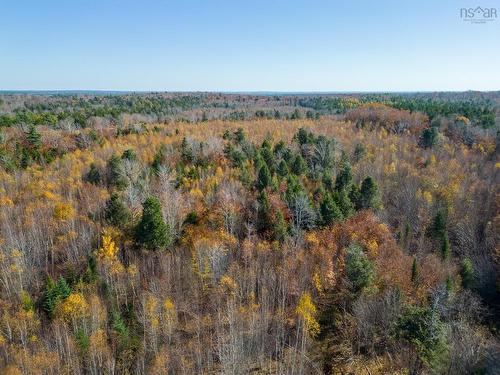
{"x": 204, "y": 233}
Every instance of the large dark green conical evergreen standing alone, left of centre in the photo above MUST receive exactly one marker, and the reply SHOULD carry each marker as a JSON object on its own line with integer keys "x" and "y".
{"x": 152, "y": 232}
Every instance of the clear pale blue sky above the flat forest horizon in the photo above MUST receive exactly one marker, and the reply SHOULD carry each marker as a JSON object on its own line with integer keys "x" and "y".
{"x": 258, "y": 45}
